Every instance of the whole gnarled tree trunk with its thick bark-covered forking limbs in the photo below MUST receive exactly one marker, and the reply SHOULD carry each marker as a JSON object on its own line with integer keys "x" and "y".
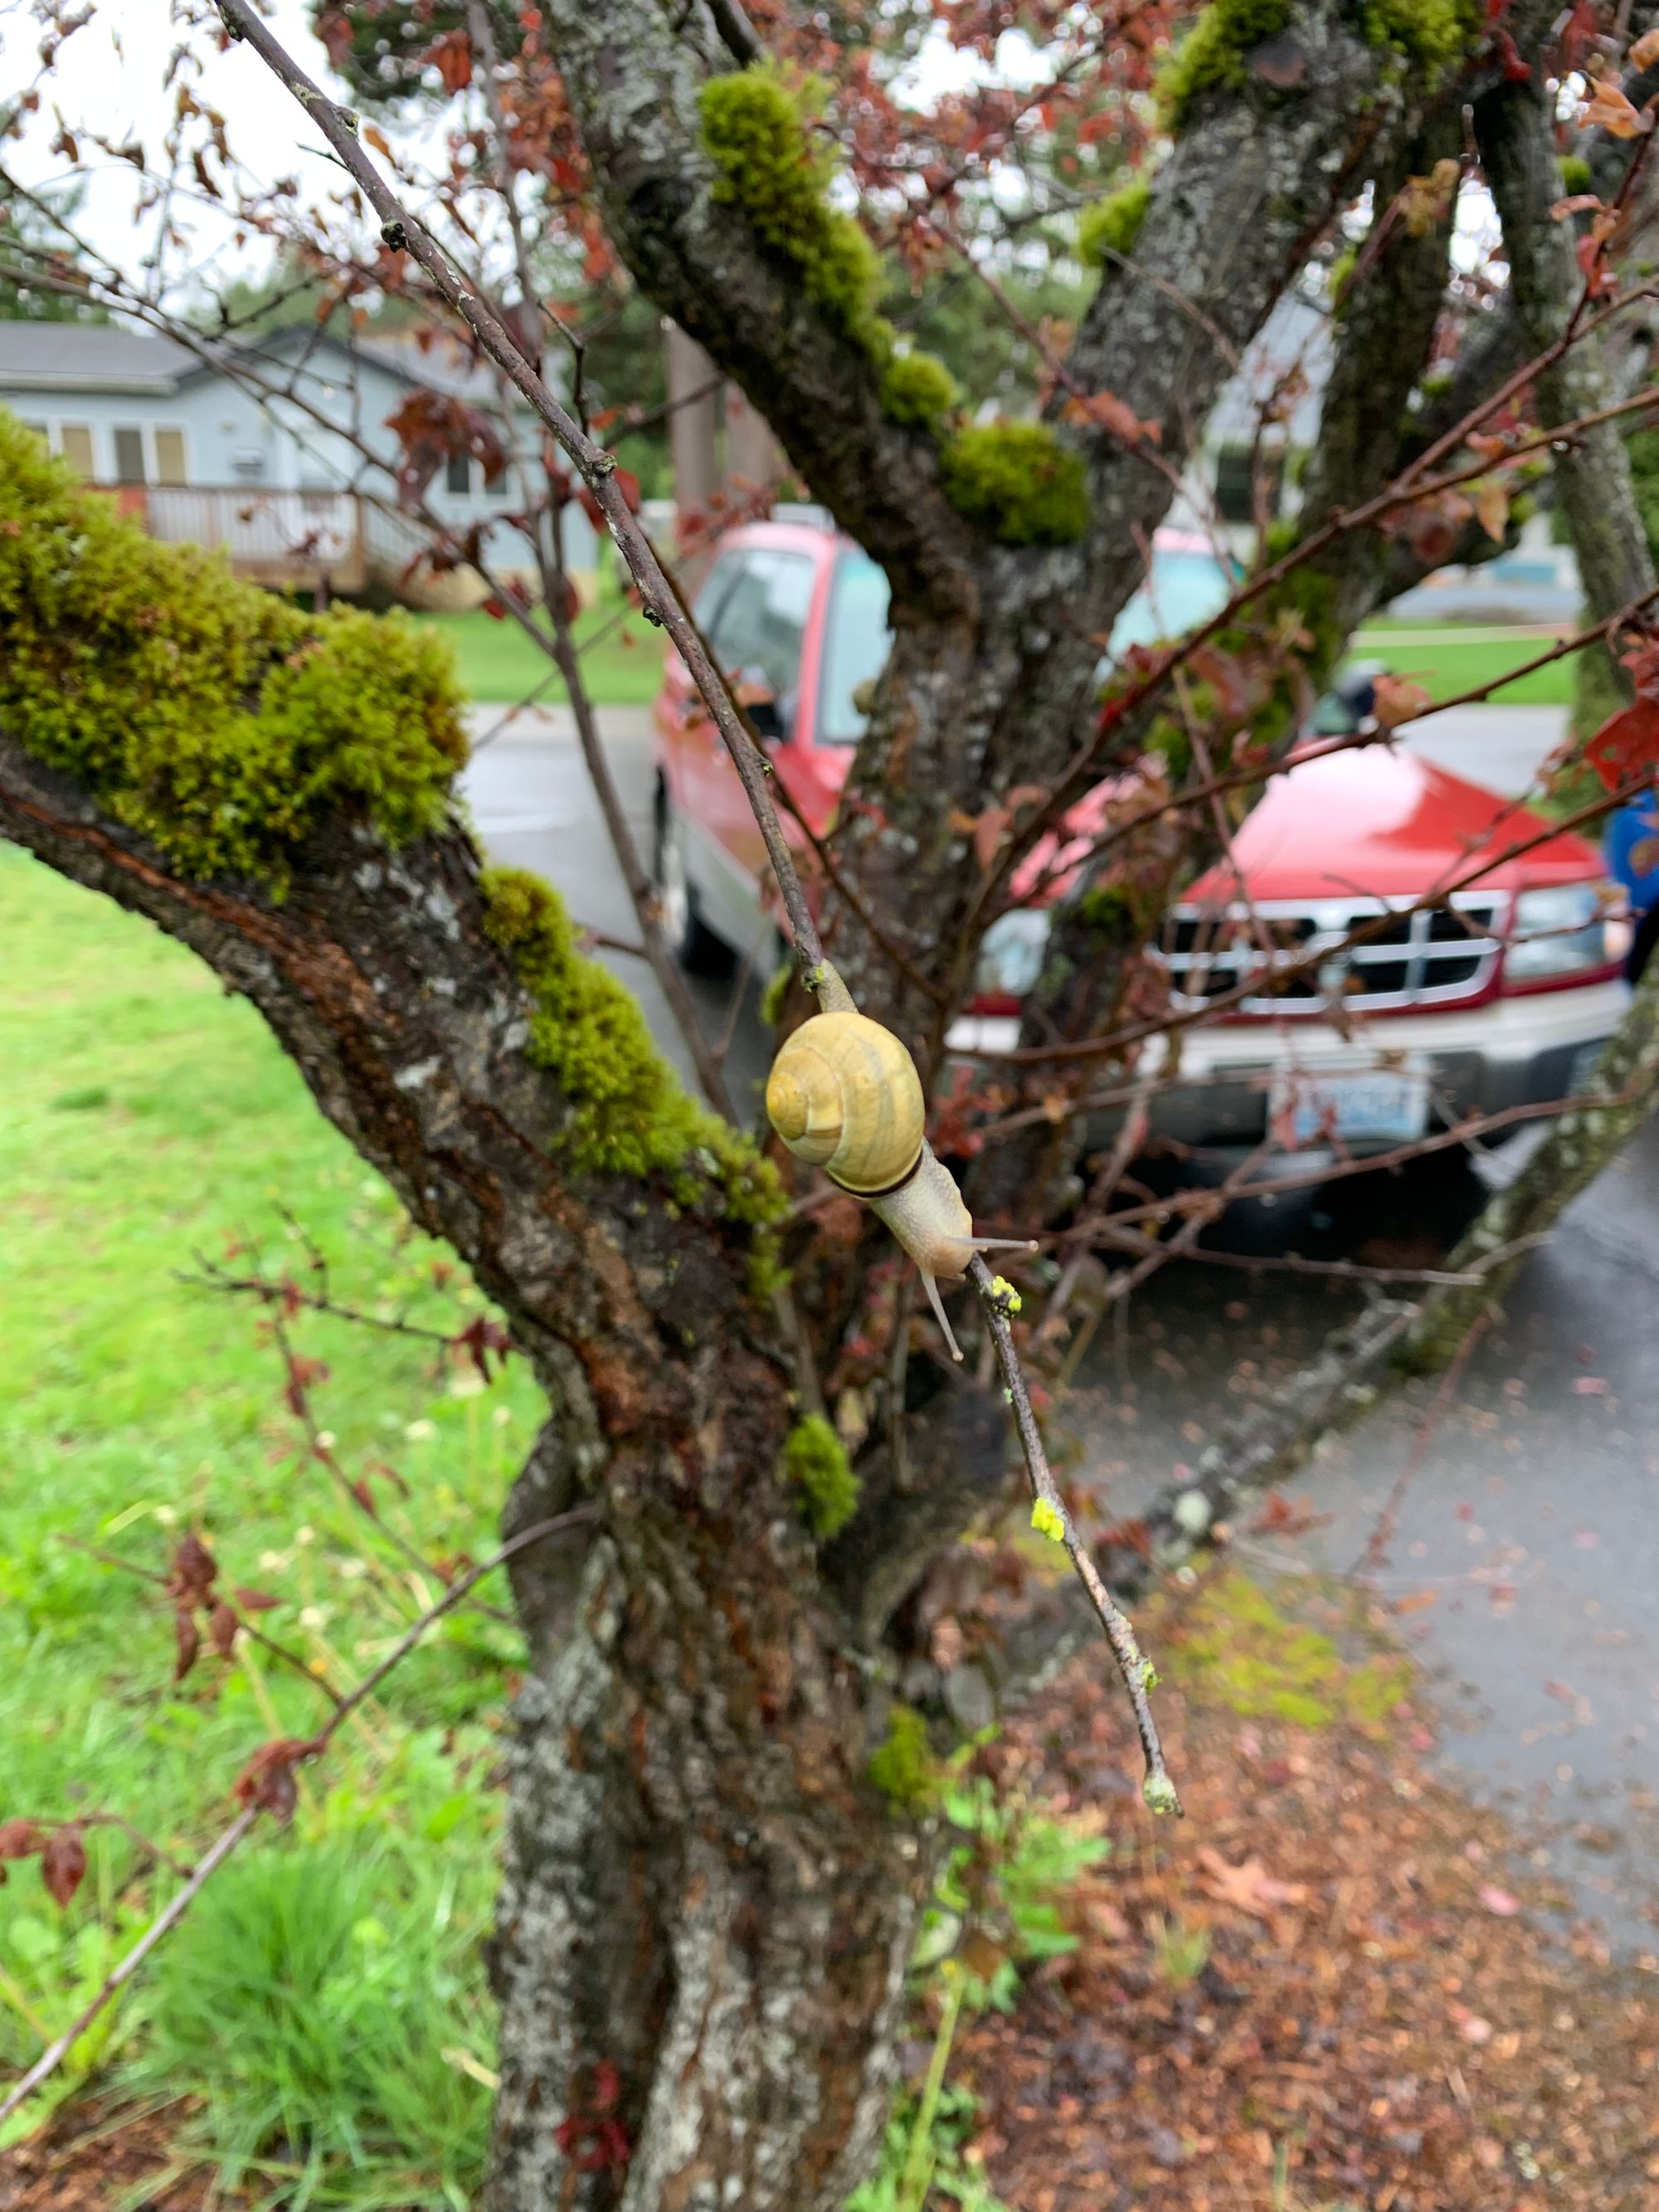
{"x": 709, "y": 1908}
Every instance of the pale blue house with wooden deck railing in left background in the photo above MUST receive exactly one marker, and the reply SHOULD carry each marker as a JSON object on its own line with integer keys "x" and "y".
{"x": 255, "y": 452}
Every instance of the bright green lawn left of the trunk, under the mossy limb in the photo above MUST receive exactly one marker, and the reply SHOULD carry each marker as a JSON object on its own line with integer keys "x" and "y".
{"x": 145, "y": 1118}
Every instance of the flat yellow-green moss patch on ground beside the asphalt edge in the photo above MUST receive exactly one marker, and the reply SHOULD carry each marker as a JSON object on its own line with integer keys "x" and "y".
{"x": 1238, "y": 1647}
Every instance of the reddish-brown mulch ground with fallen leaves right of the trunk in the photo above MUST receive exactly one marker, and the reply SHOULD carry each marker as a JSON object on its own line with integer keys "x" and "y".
{"x": 1328, "y": 1987}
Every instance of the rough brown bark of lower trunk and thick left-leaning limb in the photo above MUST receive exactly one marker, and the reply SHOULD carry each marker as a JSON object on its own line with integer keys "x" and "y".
{"x": 709, "y": 1910}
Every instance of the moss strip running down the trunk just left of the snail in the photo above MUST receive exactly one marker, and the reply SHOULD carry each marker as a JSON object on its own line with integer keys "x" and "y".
{"x": 629, "y": 1114}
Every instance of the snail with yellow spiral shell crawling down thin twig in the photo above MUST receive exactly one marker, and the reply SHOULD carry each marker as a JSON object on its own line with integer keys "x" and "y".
{"x": 844, "y": 1096}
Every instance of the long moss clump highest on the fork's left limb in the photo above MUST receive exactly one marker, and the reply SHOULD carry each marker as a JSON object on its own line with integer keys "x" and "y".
{"x": 758, "y": 134}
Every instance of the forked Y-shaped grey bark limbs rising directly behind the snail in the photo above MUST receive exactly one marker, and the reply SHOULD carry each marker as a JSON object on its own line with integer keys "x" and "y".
{"x": 992, "y": 674}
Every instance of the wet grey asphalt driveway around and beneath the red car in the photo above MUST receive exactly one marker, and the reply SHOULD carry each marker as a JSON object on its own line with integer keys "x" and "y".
{"x": 1527, "y": 1543}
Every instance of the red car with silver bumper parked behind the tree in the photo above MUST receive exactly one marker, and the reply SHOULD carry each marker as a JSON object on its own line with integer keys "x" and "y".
{"x": 1496, "y": 997}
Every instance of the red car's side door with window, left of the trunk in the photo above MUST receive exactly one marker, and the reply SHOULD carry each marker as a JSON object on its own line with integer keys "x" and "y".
{"x": 758, "y": 634}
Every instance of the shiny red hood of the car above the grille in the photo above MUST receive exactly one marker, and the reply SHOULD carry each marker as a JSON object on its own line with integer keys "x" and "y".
{"x": 1379, "y": 822}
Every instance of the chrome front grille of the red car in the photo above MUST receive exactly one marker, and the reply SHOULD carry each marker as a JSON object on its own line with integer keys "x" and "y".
{"x": 1419, "y": 959}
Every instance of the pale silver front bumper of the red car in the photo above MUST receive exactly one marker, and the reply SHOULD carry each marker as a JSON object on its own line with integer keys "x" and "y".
{"x": 1512, "y": 1052}
